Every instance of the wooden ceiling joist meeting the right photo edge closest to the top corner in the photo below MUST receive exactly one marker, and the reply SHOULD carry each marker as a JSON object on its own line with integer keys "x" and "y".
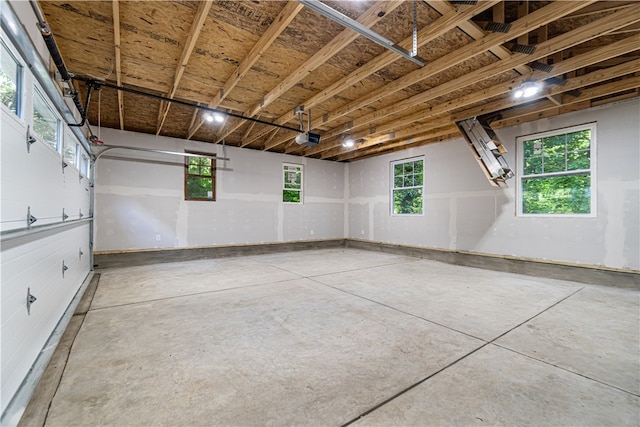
{"x": 559, "y": 43}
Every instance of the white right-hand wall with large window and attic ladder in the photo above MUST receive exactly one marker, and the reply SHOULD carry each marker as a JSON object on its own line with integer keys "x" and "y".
{"x": 463, "y": 212}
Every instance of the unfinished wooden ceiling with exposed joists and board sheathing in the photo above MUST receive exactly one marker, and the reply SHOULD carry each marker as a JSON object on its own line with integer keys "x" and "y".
{"x": 358, "y": 86}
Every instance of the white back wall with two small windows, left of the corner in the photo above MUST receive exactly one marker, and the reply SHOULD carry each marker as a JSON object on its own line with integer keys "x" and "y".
{"x": 140, "y": 204}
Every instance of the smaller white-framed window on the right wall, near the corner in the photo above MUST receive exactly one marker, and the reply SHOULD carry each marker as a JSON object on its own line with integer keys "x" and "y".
{"x": 408, "y": 186}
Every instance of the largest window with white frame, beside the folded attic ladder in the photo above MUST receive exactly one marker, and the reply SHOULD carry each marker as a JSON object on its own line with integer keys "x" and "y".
{"x": 556, "y": 172}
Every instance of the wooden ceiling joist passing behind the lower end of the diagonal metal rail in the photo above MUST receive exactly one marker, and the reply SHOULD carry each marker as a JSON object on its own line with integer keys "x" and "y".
{"x": 453, "y": 18}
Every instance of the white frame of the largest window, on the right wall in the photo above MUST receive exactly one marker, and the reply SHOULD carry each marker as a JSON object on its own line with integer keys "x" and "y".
{"x": 520, "y": 142}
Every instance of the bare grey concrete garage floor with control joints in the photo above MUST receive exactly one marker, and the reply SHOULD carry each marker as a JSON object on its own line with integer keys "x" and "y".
{"x": 338, "y": 336}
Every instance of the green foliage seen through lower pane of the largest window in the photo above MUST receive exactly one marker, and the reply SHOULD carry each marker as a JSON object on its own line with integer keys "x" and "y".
{"x": 569, "y": 194}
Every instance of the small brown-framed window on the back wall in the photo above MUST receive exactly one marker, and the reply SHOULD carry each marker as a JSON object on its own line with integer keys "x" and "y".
{"x": 199, "y": 178}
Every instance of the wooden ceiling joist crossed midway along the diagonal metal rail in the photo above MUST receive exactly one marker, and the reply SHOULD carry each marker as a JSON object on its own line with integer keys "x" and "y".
{"x": 374, "y": 14}
